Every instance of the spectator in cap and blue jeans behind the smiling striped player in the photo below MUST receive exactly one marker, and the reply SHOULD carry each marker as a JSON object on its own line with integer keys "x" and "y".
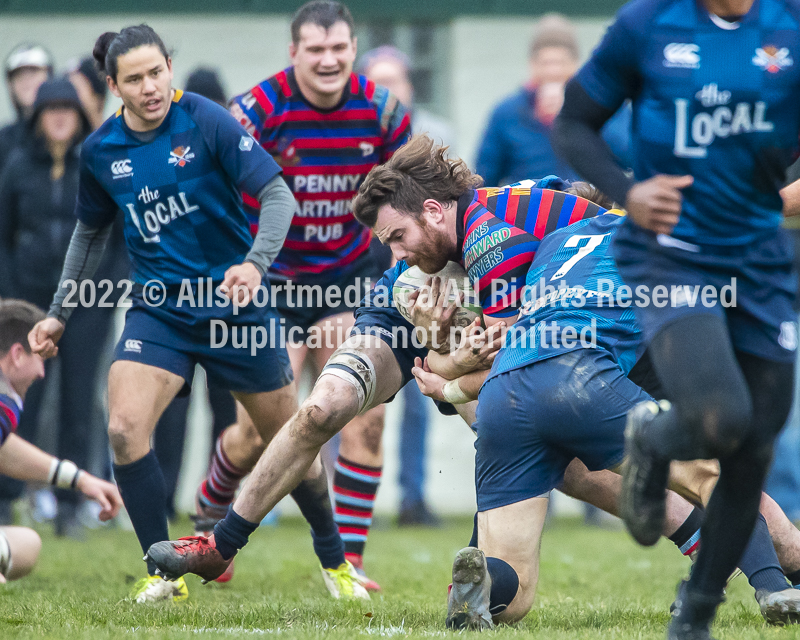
{"x": 389, "y": 67}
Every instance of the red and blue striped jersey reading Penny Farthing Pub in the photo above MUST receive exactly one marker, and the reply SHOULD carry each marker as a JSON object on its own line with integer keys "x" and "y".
{"x": 325, "y": 155}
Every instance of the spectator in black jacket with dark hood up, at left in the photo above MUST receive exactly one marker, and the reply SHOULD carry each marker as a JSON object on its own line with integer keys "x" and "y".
{"x": 38, "y": 189}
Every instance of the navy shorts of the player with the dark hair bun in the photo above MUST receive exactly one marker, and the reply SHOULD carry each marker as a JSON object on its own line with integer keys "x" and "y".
{"x": 177, "y": 338}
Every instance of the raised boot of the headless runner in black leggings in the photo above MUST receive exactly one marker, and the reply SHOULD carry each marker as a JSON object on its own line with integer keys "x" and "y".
{"x": 643, "y": 499}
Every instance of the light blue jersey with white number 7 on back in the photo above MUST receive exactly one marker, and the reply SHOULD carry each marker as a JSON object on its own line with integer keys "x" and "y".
{"x": 573, "y": 284}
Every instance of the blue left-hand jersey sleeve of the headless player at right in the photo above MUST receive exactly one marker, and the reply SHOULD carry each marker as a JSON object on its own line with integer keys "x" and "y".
{"x": 612, "y": 73}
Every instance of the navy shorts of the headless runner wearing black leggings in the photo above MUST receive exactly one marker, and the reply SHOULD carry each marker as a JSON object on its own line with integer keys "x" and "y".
{"x": 760, "y": 319}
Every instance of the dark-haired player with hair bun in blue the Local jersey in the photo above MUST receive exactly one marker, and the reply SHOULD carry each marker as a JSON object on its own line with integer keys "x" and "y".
{"x": 175, "y": 164}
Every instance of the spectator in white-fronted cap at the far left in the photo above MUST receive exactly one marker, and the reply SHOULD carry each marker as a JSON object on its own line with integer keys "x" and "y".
{"x": 27, "y": 67}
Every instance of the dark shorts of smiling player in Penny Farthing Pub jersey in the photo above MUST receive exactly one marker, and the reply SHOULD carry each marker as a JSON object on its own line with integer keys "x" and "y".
{"x": 305, "y": 310}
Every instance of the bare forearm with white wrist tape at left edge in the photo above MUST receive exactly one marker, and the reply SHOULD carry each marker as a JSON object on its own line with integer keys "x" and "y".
{"x": 21, "y": 460}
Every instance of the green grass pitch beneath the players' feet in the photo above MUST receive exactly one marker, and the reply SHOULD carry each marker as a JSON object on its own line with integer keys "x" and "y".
{"x": 593, "y": 584}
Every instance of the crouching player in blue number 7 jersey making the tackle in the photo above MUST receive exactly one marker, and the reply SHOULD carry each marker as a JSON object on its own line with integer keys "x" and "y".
{"x": 571, "y": 338}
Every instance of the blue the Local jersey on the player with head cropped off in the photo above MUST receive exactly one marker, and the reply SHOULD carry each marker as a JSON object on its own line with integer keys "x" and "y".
{"x": 717, "y": 100}
